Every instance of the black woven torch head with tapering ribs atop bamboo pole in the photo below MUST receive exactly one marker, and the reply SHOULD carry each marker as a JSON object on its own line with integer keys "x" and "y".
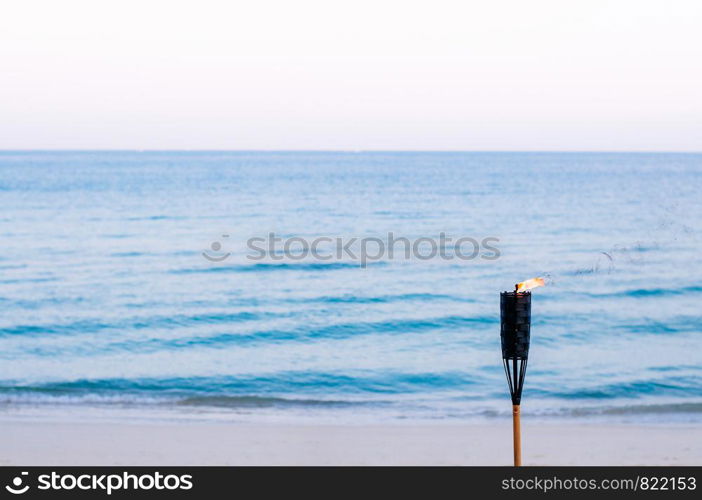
{"x": 515, "y": 312}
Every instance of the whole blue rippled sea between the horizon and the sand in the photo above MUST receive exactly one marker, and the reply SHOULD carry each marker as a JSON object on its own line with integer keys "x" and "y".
{"x": 108, "y": 304}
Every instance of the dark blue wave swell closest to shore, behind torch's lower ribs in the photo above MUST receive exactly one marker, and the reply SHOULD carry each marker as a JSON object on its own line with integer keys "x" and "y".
{"x": 462, "y": 384}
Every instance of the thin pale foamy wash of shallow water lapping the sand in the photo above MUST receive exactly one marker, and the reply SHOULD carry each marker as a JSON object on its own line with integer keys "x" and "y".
{"x": 348, "y": 408}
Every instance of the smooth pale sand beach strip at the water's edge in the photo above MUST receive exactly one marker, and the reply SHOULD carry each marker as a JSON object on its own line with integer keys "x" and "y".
{"x": 100, "y": 443}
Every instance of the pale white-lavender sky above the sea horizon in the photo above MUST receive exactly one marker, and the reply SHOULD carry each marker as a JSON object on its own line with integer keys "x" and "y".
{"x": 304, "y": 74}
